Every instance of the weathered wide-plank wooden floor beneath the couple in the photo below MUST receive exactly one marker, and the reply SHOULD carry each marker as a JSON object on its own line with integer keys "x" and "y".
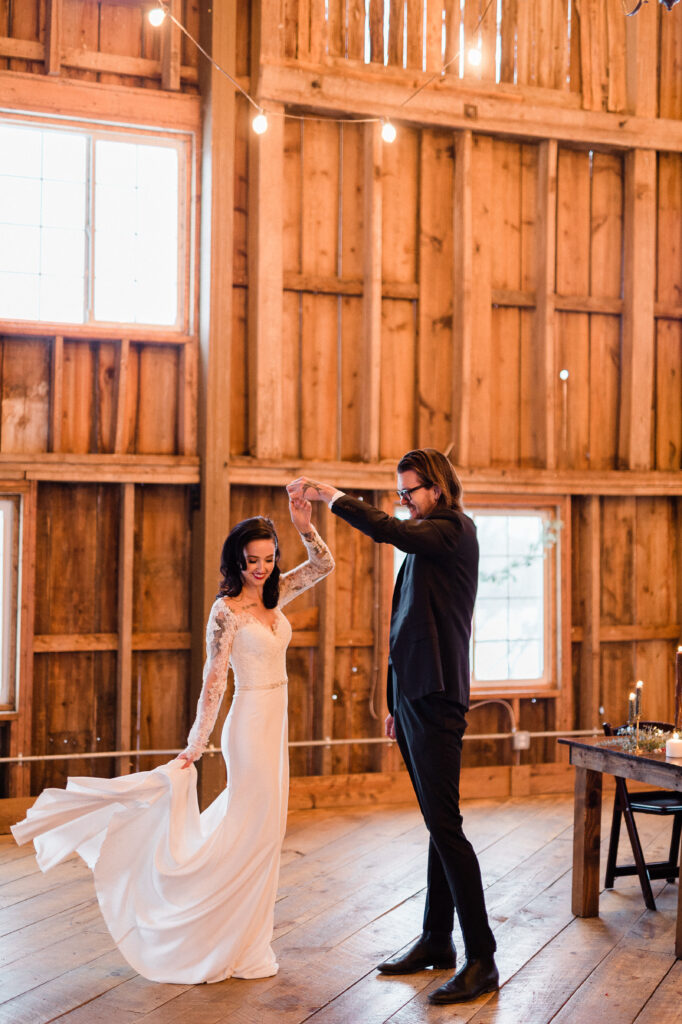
{"x": 352, "y": 892}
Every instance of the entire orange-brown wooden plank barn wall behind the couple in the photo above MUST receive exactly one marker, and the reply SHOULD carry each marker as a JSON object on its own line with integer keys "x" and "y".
{"x": 383, "y": 297}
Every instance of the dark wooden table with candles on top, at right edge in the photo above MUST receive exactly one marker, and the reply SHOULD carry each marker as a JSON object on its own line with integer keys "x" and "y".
{"x": 591, "y": 762}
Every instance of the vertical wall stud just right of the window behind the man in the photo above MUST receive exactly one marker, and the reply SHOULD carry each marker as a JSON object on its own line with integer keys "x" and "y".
{"x": 590, "y": 662}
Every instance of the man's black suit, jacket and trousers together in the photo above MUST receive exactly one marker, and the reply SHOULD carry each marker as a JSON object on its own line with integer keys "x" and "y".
{"x": 429, "y": 695}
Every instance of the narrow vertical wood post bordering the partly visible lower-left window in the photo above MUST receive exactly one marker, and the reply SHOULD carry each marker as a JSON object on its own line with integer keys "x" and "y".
{"x": 21, "y": 731}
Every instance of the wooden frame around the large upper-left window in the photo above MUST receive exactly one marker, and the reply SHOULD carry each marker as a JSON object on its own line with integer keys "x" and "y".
{"x": 186, "y": 144}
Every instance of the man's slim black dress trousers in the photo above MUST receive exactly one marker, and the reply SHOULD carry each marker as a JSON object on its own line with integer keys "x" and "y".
{"x": 430, "y": 734}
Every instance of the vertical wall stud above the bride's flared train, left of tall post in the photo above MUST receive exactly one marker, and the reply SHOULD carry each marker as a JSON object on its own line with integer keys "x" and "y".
{"x": 124, "y": 655}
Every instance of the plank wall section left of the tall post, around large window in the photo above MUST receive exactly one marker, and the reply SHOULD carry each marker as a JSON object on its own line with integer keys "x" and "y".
{"x": 104, "y": 423}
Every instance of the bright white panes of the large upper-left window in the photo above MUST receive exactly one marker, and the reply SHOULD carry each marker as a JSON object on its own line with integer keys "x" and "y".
{"x": 93, "y": 227}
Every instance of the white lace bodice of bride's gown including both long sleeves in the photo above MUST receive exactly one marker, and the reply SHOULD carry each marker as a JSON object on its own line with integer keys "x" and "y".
{"x": 257, "y": 652}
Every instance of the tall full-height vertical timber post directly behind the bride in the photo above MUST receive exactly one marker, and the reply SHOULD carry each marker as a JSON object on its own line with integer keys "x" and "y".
{"x": 216, "y": 332}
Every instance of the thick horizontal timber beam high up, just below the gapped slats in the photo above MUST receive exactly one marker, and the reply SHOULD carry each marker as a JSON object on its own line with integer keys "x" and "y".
{"x": 517, "y": 113}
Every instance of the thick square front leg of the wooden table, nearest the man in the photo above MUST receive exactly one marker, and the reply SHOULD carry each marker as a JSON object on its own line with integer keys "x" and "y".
{"x": 587, "y": 834}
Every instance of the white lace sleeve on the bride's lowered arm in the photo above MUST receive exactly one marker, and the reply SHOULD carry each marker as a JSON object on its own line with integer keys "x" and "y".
{"x": 221, "y": 631}
